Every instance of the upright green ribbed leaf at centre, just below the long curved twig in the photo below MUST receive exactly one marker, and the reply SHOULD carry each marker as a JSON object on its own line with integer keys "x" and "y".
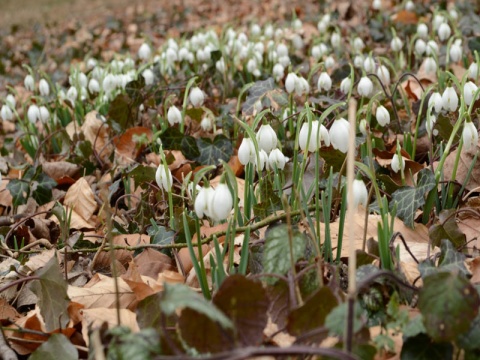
{"x": 276, "y": 253}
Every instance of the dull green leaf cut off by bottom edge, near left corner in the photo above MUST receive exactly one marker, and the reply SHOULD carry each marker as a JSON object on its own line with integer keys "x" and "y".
{"x": 58, "y": 346}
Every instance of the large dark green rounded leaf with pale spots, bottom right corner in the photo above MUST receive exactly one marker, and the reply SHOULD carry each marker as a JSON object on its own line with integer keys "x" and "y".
{"x": 448, "y": 303}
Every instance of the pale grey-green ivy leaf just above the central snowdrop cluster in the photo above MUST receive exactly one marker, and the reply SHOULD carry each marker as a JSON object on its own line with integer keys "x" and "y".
{"x": 264, "y": 89}
